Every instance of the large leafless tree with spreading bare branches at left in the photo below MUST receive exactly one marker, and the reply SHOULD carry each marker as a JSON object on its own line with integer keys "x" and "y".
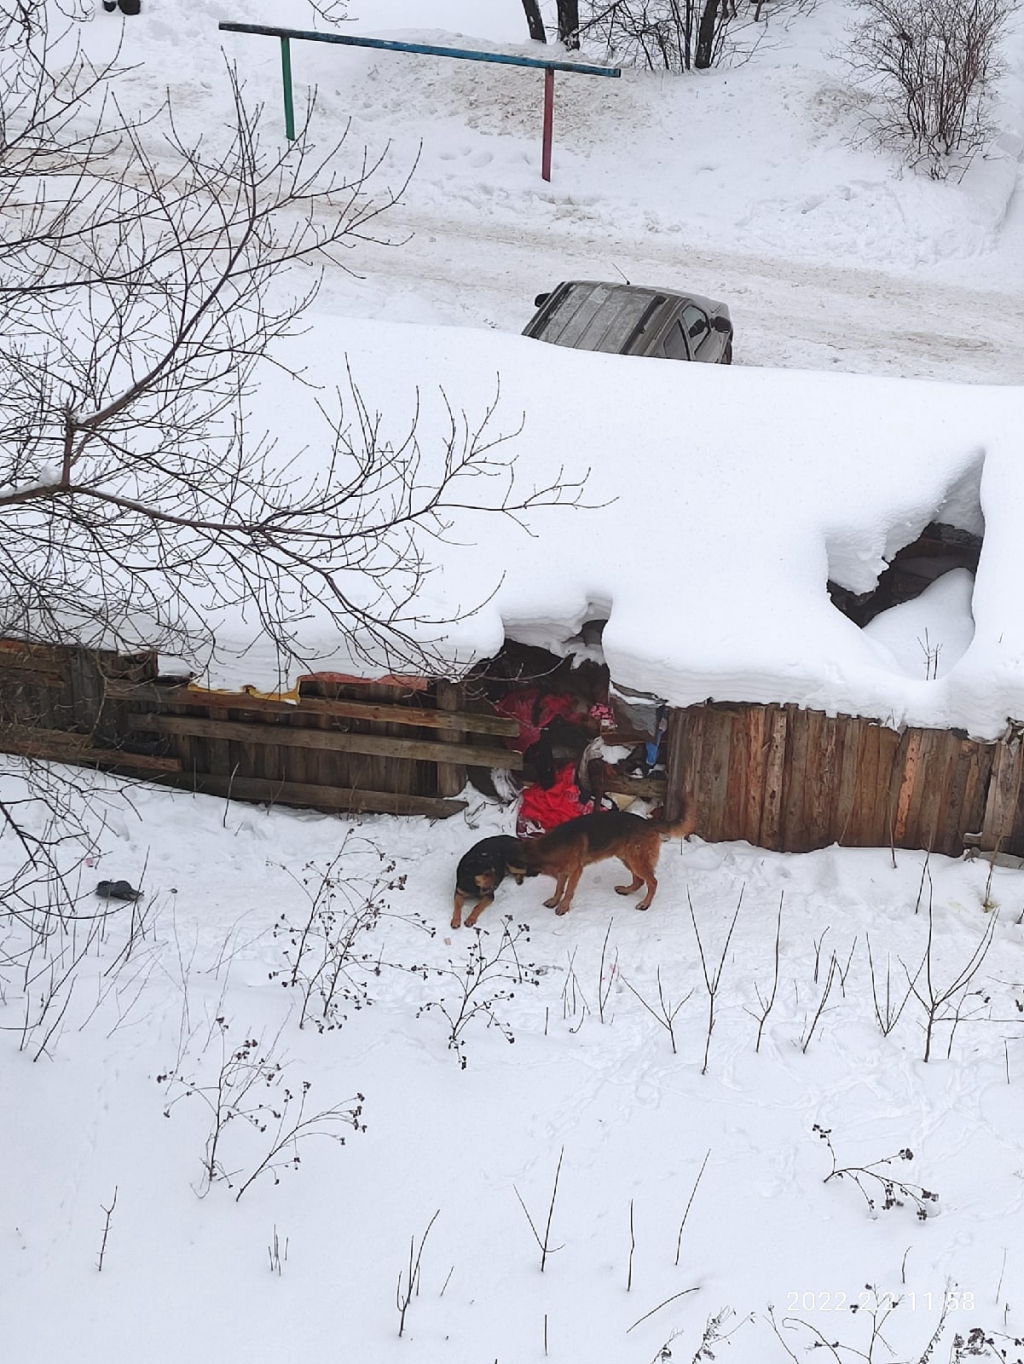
{"x": 149, "y": 280}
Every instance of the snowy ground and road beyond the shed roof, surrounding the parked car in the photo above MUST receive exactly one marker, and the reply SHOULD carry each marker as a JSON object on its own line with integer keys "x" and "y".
{"x": 753, "y": 185}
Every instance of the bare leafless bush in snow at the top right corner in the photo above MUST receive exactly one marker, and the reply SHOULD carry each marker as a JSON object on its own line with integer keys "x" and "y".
{"x": 932, "y": 66}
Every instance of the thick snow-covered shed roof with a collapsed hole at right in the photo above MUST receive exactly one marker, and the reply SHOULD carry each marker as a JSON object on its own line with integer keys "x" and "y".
{"x": 721, "y": 501}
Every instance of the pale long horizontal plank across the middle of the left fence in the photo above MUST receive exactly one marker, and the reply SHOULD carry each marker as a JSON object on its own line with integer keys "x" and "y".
{"x": 373, "y": 745}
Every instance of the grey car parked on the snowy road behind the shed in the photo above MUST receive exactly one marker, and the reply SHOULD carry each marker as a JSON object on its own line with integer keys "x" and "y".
{"x": 632, "y": 320}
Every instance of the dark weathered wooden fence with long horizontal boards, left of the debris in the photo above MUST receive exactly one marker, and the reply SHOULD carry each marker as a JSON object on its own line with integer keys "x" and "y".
{"x": 396, "y": 747}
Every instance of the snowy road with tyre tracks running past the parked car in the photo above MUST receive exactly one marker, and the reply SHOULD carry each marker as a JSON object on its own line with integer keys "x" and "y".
{"x": 787, "y": 313}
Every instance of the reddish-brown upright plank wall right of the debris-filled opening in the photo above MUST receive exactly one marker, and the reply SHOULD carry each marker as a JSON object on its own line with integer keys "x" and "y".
{"x": 793, "y": 781}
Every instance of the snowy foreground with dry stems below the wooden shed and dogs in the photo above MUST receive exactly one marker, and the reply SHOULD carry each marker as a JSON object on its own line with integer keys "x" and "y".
{"x": 189, "y": 1272}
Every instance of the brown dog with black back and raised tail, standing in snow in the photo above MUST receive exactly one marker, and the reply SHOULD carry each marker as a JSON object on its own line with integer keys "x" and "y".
{"x": 569, "y": 848}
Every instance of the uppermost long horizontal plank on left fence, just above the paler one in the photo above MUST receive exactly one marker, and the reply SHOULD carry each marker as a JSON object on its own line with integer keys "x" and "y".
{"x": 460, "y": 722}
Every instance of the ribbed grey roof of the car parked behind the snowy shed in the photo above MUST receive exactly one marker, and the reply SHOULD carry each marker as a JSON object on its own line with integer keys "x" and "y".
{"x": 594, "y": 316}
